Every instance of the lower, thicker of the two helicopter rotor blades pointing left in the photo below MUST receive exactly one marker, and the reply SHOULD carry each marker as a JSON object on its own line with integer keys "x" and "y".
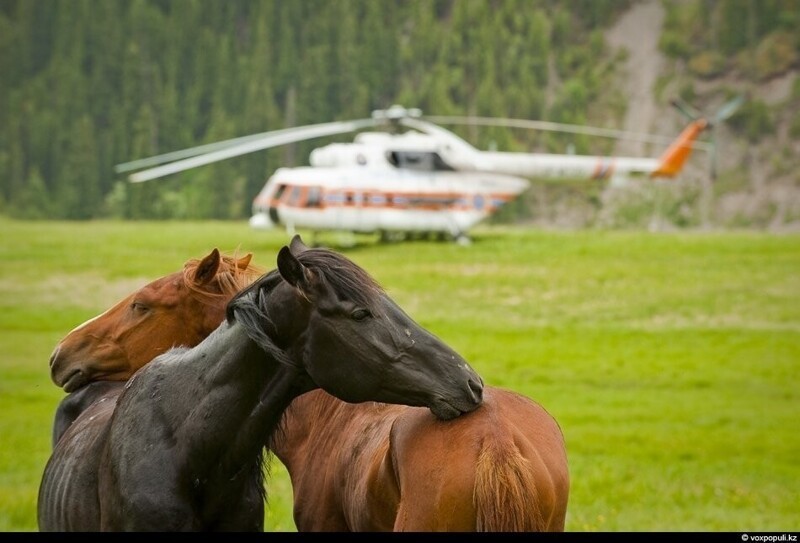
{"x": 251, "y": 144}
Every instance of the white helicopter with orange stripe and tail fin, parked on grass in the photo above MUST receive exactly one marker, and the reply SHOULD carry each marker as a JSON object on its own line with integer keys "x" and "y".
{"x": 423, "y": 182}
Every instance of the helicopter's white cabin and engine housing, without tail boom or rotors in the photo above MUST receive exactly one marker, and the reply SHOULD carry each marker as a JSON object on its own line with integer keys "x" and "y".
{"x": 384, "y": 183}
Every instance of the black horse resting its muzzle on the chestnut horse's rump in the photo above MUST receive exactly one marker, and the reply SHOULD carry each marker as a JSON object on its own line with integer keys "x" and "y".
{"x": 182, "y": 447}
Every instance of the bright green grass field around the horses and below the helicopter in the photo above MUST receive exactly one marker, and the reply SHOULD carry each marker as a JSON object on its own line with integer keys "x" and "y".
{"x": 671, "y": 360}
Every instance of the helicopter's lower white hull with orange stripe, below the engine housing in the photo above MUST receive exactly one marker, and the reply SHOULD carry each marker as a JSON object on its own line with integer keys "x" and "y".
{"x": 375, "y": 199}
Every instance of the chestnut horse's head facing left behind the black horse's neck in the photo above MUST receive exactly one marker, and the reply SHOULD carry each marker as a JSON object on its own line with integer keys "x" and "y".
{"x": 179, "y": 309}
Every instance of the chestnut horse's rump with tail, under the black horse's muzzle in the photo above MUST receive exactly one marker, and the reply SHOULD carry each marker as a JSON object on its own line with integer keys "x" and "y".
{"x": 502, "y": 467}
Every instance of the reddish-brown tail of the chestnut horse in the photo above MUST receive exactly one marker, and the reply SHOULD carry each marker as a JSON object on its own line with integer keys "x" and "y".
{"x": 505, "y": 496}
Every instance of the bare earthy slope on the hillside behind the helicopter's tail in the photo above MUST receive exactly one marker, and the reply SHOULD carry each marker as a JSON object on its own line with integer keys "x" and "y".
{"x": 758, "y": 182}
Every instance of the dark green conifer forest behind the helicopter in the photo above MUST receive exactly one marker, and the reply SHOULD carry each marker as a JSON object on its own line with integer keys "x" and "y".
{"x": 87, "y": 84}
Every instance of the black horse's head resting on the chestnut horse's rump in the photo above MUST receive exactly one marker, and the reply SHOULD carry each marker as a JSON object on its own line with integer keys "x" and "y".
{"x": 341, "y": 328}
